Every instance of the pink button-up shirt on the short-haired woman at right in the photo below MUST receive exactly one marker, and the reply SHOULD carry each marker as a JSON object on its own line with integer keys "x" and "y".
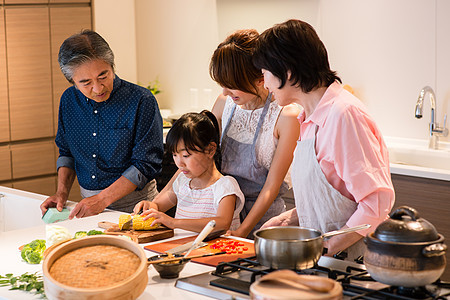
{"x": 352, "y": 154}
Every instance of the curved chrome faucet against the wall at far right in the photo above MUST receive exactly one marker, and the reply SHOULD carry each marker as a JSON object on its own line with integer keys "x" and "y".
{"x": 435, "y": 130}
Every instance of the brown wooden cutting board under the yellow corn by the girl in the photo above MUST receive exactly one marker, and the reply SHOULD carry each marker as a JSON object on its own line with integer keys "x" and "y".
{"x": 143, "y": 236}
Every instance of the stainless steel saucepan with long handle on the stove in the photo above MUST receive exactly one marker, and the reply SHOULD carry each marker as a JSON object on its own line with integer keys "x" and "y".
{"x": 293, "y": 247}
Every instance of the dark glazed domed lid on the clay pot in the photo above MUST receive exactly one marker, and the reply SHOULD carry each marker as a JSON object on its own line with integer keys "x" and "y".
{"x": 405, "y": 226}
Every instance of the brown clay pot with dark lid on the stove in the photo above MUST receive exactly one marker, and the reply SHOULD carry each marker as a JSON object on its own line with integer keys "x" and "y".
{"x": 405, "y": 250}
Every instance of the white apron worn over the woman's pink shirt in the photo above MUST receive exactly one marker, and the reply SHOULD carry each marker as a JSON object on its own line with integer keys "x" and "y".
{"x": 319, "y": 205}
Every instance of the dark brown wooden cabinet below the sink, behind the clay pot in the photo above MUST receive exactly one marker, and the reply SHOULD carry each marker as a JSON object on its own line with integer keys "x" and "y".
{"x": 431, "y": 198}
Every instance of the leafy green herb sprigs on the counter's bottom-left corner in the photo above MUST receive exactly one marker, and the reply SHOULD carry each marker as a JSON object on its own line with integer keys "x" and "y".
{"x": 32, "y": 283}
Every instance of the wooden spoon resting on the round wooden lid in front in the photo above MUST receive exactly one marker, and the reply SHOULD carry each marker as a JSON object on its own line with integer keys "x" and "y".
{"x": 304, "y": 282}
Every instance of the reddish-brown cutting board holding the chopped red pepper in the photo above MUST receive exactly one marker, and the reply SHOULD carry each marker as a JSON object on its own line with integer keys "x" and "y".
{"x": 211, "y": 260}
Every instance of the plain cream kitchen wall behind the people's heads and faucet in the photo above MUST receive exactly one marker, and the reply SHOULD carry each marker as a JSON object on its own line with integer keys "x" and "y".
{"x": 386, "y": 50}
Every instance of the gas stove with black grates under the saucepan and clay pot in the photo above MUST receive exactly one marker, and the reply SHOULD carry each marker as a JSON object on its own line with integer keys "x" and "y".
{"x": 232, "y": 280}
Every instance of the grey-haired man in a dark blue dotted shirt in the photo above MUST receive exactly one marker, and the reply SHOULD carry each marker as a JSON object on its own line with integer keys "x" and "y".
{"x": 109, "y": 132}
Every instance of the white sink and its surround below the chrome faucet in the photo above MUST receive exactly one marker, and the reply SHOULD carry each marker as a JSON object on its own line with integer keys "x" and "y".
{"x": 414, "y": 158}
